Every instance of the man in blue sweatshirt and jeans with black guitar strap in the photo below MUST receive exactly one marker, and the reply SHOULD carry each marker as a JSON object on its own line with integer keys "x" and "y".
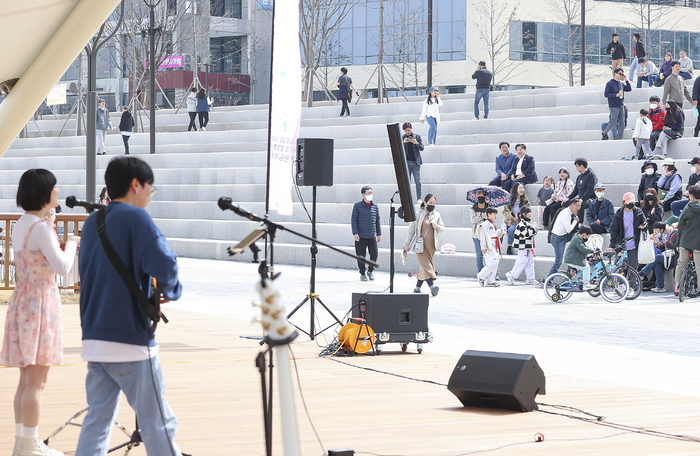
{"x": 118, "y": 339}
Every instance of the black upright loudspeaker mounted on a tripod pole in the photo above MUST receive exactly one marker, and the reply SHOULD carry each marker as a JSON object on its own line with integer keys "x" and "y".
{"x": 314, "y": 162}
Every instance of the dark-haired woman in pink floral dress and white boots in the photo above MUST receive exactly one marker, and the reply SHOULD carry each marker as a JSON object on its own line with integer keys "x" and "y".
{"x": 33, "y": 337}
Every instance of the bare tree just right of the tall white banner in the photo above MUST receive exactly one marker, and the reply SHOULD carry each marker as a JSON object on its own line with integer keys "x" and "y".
{"x": 320, "y": 20}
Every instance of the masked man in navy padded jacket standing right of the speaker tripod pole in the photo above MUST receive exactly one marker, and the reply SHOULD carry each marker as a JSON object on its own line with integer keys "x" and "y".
{"x": 367, "y": 231}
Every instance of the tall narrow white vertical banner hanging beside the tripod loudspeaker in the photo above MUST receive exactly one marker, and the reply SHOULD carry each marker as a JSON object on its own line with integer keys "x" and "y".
{"x": 285, "y": 107}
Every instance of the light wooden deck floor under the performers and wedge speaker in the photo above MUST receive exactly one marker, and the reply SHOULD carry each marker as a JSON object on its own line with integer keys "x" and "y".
{"x": 214, "y": 388}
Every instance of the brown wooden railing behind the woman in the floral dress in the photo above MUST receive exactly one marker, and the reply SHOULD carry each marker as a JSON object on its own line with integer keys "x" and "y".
{"x": 6, "y": 220}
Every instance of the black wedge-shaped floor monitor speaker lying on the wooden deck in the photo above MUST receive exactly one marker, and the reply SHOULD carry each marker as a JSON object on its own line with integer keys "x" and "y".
{"x": 490, "y": 379}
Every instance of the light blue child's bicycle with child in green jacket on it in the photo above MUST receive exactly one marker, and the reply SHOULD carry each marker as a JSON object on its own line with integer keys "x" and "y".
{"x": 613, "y": 287}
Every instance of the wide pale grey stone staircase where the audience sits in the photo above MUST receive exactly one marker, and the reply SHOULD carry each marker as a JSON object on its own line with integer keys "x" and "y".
{"x": 194, "y": 169}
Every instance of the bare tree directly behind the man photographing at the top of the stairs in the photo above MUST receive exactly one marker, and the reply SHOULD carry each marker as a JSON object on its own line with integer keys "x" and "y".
{"x": 494, "y": 33}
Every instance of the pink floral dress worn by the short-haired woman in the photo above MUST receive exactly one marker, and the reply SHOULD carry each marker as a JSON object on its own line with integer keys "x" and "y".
{"x": 33, "y": 328}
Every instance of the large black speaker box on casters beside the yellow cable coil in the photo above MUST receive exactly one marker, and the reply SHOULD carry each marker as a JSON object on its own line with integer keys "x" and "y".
{"x": 392, "y": 312}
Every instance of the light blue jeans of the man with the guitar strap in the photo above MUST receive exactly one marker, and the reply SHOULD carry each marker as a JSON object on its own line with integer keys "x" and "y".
{"x": 142, "y": 382}
